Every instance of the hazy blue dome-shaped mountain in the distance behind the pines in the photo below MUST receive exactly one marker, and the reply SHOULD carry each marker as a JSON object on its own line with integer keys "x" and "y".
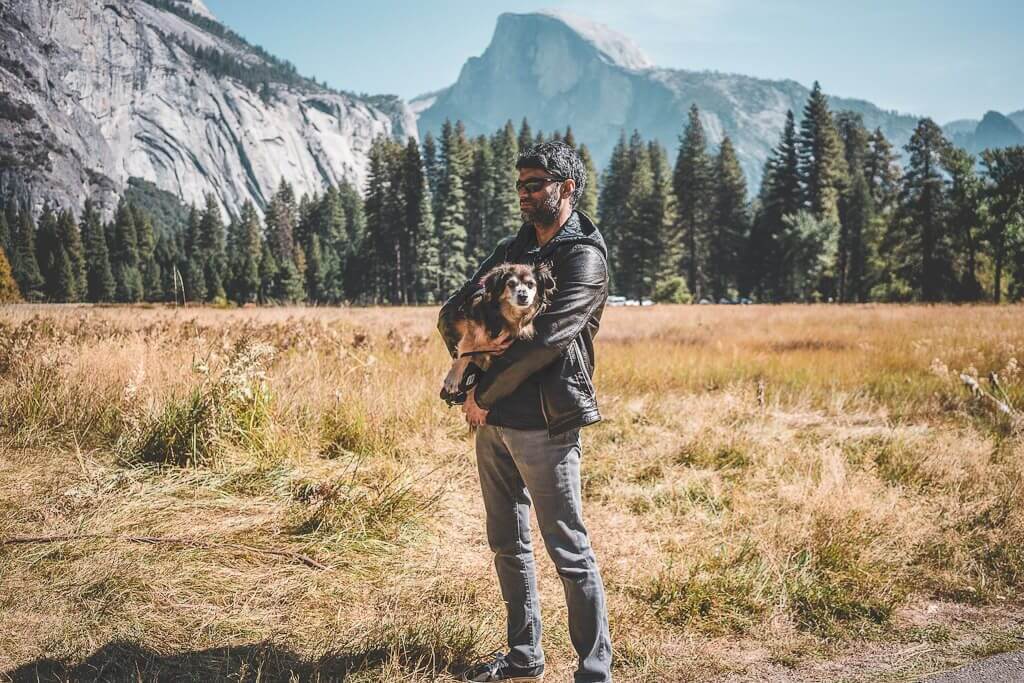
{"x": 559, "y": 71}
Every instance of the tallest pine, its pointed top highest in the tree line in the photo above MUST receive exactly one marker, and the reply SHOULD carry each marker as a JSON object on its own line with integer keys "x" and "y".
{"x": 823, "y": 165}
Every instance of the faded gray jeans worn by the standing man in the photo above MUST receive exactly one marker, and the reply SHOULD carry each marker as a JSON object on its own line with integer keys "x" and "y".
{"x": 519, "y": 467}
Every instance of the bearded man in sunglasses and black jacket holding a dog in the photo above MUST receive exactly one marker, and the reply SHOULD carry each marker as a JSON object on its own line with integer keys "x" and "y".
{"x": 530, "y": 407}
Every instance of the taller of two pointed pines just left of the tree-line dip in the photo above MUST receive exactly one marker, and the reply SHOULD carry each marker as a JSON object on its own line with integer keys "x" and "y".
{"x": 694, "y": 191}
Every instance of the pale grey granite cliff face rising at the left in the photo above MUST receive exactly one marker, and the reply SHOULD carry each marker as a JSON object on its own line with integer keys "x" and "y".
{"x": 93, "y": 94}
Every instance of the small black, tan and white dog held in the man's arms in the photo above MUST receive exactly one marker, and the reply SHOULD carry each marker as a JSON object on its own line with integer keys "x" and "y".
{"x": 504, "y": 311}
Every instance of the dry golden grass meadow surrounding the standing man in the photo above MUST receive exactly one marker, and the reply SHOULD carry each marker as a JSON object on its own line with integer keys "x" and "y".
{"x": 785, "y": 493}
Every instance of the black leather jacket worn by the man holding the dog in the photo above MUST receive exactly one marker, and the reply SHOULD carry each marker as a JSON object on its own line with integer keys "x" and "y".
{"x": 563, "y": 351}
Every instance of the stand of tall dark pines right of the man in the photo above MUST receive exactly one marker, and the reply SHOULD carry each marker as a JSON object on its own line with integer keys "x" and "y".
{"x": 836, "y": 220}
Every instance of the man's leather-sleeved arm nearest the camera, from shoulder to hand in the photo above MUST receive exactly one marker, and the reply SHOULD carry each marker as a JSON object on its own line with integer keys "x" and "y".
{"x": 581, "y": 288}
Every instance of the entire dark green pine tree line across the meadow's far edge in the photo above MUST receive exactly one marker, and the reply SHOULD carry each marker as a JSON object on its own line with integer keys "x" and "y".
{"x": 836, "y": 220}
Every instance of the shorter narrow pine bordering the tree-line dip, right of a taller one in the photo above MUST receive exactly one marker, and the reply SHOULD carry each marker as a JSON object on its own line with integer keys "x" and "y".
{"x": 730, "y": 224}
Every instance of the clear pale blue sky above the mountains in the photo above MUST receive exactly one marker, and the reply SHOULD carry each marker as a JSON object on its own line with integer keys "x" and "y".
{"x": 945, "y": 59}
